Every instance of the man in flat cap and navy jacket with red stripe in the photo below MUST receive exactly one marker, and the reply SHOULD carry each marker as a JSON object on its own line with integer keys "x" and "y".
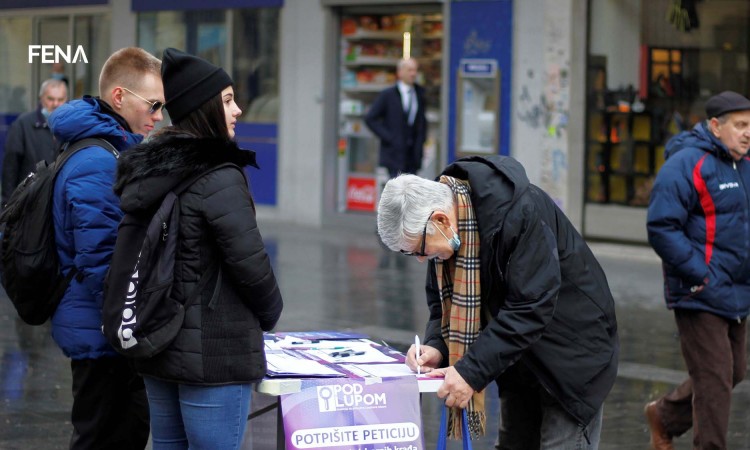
{"x": 699, "y": 224}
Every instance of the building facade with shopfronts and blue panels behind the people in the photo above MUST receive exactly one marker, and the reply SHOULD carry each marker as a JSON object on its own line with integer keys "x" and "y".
{"x": 583, "y": 93}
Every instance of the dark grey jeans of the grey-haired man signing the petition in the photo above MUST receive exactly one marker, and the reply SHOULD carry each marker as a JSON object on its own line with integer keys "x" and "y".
{"x": 531, "y": 419}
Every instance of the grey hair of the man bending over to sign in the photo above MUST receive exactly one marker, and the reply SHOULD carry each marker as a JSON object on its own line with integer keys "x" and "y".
{"x": 405, "y": 205}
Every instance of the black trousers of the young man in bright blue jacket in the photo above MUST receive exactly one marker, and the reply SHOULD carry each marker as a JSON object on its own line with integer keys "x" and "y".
{"x": 110, "y": 409}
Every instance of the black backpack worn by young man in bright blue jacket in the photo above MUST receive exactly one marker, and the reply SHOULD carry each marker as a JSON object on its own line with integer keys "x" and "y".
{"x": 31, "y": 272}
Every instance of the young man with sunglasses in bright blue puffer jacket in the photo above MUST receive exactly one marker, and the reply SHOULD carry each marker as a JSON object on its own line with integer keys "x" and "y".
{"x": 110, "y": 409}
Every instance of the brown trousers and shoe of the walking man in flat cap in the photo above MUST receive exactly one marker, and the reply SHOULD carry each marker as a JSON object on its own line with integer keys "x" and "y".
{"x": 714, "y": 350}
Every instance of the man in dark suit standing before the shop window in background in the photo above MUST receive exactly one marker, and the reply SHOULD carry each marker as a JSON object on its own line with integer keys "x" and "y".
{"x": 397, "y": 117}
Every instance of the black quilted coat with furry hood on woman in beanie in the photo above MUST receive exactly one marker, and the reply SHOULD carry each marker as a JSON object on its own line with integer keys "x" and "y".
{"x": 221, "y": 341}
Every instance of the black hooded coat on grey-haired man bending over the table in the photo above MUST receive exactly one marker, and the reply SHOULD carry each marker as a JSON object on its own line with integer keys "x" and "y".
{"x": 545, "y": 299}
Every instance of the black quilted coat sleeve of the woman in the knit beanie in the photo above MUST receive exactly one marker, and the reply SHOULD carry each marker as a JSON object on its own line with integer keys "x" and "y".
{"x": 231, "y": 218}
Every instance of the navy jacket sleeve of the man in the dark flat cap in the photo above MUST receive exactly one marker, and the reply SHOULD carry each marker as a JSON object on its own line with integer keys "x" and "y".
{"x": 672, "y": 198}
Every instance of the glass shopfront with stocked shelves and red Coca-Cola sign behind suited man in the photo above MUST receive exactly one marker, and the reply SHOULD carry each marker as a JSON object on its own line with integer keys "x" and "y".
{"x": 372, "y": 41}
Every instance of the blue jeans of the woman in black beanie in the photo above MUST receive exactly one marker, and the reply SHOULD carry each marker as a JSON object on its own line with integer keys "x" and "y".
{"x": 197, "y": 417}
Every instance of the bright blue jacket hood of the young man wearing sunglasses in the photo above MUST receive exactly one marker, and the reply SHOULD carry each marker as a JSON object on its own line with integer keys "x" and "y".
{"x": 89, "y": 117}
